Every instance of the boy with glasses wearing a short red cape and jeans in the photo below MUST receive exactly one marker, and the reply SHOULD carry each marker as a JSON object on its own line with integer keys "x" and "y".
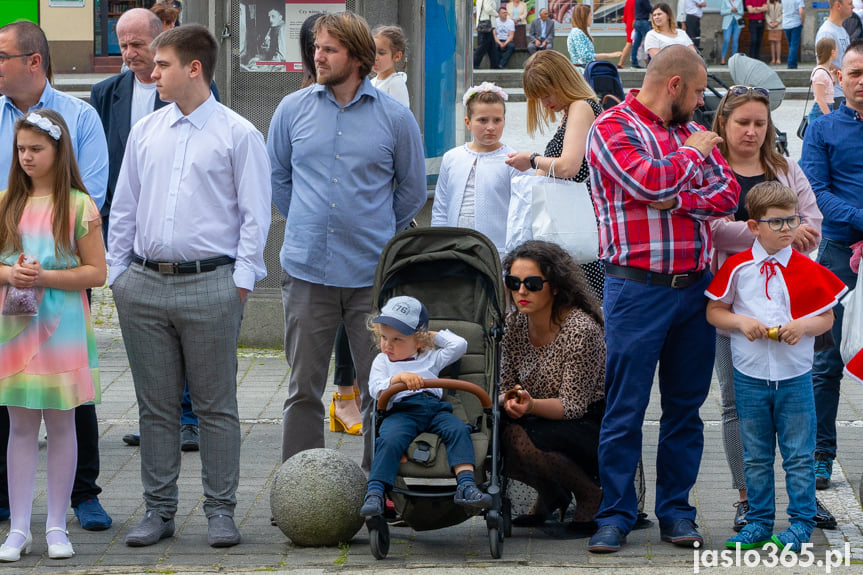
{"x": 774, "y": 301}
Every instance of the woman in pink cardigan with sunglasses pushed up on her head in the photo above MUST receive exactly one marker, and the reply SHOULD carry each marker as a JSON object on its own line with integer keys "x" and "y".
{"x": 743, "y": 122}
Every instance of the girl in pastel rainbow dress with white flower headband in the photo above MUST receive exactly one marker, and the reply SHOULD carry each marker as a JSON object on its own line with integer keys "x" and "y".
{"x": 51, "y": 250}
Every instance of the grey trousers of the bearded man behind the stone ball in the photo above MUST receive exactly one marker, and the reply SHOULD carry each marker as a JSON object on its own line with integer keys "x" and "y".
{"x": 312, "y": 314}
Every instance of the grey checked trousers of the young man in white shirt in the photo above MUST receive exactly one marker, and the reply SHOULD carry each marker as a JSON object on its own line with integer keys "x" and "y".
{"x": 177, "y": 326}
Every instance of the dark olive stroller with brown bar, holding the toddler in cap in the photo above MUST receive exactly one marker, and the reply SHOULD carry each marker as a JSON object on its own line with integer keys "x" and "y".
{"x": 456, "y": 273}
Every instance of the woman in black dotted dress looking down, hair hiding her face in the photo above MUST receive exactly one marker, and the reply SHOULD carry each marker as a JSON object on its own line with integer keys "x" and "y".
{"x": 554, "y": 87}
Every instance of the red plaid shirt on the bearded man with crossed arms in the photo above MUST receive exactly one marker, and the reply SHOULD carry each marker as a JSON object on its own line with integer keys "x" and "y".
{"x": 635, "y": 160}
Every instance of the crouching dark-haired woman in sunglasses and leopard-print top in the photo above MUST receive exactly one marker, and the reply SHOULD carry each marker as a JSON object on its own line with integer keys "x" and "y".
{"x": 552, "y": 383}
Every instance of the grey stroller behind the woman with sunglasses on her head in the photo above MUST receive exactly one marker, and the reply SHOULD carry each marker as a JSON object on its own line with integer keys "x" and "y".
{"x": 745, "y": 71}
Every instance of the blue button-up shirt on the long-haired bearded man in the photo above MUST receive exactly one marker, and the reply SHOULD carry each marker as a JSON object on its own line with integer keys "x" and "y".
{"x": 346, "y": 178}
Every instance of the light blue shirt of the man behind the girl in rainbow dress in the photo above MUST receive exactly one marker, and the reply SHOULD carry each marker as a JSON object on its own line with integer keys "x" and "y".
{"x": 85, "y": 128}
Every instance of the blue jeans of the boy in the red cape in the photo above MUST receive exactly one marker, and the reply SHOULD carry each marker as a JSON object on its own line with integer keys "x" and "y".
{"x": 783, "y": 412}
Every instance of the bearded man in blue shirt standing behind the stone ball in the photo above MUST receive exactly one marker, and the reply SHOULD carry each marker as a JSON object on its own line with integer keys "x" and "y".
{"x": 348, "y": 173}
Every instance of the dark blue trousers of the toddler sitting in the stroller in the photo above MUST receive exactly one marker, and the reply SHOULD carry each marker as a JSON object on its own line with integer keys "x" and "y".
{"x": 408, "y": 418}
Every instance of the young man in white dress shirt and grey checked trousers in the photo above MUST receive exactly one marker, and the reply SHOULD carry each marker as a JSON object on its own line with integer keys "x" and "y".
{"x": 189, "y": 222}
